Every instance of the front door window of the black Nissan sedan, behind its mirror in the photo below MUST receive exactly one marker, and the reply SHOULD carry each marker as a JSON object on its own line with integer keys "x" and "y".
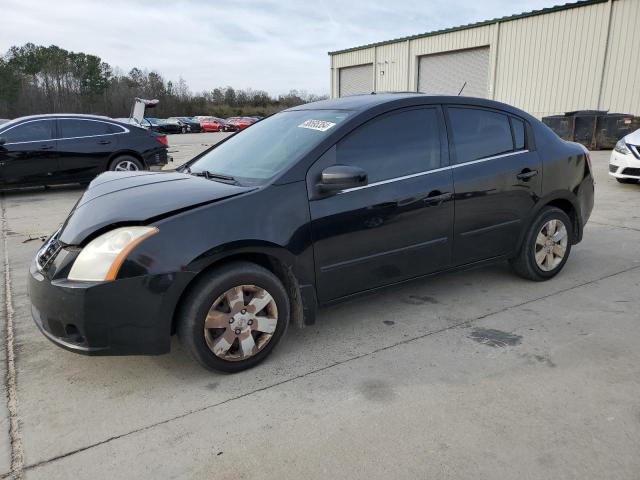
{"x": 393, "y": 145}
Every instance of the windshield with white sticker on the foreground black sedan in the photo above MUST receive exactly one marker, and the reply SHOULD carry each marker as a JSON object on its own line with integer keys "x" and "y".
{"x": 267, "y": 147}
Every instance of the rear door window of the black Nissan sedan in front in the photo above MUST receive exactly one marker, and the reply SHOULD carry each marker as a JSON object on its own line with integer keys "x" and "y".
{"x": 479, "y": 133}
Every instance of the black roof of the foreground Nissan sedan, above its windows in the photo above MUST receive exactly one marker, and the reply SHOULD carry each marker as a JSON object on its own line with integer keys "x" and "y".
{"x": 402, "y": 99}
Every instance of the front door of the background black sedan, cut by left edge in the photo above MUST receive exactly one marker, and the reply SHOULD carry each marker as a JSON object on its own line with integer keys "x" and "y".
{"x": 29, "y": 156}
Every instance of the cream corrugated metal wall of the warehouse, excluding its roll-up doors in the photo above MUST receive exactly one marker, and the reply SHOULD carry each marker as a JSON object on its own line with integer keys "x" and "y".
{"x": 585, "y": 57}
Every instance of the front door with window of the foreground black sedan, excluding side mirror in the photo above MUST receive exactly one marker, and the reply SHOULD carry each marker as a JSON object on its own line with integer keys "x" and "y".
{"x": 398, "y": 226}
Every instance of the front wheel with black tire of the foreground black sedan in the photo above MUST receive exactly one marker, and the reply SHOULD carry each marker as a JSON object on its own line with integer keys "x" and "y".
{"x": 204, "y": 298}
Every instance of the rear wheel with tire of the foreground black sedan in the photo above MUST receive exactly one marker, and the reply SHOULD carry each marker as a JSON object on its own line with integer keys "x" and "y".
{"x": 525, "y": 263}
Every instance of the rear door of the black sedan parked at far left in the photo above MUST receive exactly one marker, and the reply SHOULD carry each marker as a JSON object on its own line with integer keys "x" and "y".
{"x": 85, "y": 146}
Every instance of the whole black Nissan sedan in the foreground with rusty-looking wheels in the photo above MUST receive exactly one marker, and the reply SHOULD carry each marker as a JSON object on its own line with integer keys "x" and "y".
{"x": 308, "y": 207}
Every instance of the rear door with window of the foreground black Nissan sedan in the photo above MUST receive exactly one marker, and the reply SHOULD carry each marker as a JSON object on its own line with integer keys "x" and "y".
{"x": 497, "y": 180}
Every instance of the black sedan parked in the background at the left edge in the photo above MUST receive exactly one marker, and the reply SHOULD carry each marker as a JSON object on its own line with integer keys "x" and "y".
{"x": 58, "y": 149}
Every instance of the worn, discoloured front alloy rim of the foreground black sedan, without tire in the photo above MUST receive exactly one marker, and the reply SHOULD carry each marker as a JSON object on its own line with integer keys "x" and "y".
{"x": 240, "y": 322}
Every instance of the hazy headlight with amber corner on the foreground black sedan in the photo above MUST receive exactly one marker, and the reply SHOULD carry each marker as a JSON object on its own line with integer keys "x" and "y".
{"x": 101, "y": 259}
